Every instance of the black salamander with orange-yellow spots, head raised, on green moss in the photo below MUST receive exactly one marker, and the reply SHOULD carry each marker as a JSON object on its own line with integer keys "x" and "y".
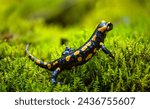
{"x": 71, "y": 58}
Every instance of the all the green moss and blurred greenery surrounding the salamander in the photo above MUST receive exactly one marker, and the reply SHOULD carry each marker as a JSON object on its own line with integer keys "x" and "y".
{"x": 45, "y": 23}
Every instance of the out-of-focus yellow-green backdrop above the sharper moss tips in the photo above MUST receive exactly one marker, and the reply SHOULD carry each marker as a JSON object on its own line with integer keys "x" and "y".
{"x": 23, "y": 17}
